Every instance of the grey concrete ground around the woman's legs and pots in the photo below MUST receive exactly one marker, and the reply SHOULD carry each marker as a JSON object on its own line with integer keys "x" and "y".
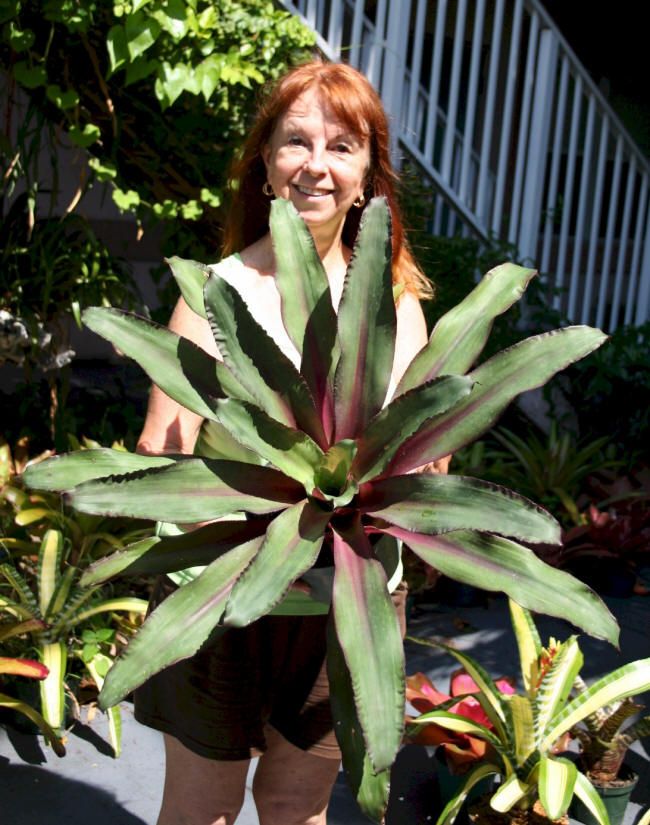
{"x": 88, "y": 784}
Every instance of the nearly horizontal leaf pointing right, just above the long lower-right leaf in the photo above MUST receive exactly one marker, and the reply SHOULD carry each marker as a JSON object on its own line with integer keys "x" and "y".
{"x": 436, "y": 503}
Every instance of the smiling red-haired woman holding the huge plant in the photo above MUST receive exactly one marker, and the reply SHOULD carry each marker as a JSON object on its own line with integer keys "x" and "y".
{"x": 320, "y": 140}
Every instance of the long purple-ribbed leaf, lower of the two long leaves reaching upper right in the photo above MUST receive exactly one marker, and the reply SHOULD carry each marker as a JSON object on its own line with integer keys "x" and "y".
{"x": 522, "y": 367}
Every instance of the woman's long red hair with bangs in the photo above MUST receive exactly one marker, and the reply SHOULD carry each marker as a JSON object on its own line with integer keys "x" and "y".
{"x": 355, "y": 103}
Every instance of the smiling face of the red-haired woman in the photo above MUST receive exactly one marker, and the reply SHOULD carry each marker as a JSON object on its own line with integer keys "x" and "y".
{"x": 314, "y": 161}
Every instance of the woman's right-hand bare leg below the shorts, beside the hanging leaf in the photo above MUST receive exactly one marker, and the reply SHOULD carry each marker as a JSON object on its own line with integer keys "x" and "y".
{"x": 292, "y": 786}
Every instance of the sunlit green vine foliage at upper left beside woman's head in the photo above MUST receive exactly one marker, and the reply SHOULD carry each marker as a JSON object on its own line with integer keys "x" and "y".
{"x": 157, "y": 91}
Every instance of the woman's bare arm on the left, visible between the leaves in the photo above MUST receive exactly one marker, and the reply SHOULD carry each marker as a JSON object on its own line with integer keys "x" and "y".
{"x": 169, "y": 427}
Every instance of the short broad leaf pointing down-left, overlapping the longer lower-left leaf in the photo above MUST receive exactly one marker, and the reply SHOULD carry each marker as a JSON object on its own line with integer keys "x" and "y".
{"x": 293, "y": 541}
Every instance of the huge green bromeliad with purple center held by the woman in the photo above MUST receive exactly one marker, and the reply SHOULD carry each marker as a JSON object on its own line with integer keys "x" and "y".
{"x": 316, "y": 455}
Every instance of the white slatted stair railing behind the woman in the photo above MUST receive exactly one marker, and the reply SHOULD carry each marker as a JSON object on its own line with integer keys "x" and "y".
{"x": 491, "y": 102}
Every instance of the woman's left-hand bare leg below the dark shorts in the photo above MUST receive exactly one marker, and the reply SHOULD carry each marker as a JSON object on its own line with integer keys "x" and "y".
{"x": 200, "y": 791}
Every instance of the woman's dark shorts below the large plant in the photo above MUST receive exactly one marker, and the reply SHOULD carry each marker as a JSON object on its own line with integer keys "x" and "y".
{"x": 218, "y": 702}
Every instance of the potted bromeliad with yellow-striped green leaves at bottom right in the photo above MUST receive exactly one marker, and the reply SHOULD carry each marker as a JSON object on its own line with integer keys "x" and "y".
{"x": 524, "y": 734}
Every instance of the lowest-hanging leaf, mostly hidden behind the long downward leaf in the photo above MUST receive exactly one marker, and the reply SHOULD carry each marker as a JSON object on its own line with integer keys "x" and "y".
{"x": 369, "y": 789}
